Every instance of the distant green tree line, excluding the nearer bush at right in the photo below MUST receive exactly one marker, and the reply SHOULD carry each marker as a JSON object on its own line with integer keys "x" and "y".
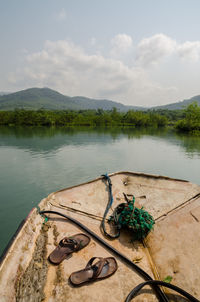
{"x": 93, "y": 118}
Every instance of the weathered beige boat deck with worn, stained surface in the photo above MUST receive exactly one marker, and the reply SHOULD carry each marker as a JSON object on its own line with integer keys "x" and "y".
{"x": 173, "y": 248}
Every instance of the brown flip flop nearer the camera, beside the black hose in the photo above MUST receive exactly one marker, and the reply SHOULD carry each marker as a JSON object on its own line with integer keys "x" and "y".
{"x": 103, "y": 268}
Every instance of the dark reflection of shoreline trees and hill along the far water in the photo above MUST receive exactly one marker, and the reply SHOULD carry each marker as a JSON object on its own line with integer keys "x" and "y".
{"x": 50, "y": 139}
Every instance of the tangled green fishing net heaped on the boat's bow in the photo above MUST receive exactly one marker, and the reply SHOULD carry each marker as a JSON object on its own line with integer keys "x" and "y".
{"x": 139, "y": 221}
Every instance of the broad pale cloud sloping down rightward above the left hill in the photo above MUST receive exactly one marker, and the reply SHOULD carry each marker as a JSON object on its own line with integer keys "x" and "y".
{"x": 65, "y": 67}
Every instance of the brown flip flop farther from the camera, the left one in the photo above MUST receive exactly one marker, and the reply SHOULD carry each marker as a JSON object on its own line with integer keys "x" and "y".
{"x": 67, "y": 246}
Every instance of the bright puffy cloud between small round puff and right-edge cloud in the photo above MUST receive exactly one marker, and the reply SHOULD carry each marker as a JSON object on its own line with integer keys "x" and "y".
{"x": 151, "y": 50}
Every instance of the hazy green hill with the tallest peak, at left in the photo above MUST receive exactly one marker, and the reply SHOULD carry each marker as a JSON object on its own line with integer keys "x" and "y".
{"x": 45, "y": 98}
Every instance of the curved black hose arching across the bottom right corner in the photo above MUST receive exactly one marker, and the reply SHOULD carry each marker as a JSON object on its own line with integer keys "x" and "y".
{"x": 179, "y": 290}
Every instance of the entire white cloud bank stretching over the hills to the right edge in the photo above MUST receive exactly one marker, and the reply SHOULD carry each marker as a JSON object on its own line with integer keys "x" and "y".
{"x": 68, "y": 68}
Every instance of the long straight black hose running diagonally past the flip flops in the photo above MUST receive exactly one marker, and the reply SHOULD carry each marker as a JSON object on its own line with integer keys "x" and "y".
{"x": 161, "y": 296}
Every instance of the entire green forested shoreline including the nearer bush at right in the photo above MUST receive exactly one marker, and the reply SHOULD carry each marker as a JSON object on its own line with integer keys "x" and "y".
{"x": 187, "y": 120}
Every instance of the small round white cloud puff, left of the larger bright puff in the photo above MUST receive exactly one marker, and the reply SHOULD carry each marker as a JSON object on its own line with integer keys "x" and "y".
{"x": 121, "y": 45}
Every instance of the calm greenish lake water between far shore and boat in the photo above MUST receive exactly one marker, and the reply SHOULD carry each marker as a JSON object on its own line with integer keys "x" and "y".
{"x": 37, "y": 161}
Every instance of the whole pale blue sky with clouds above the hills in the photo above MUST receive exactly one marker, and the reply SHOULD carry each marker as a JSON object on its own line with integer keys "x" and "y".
{"x": 136, "y": 52}
